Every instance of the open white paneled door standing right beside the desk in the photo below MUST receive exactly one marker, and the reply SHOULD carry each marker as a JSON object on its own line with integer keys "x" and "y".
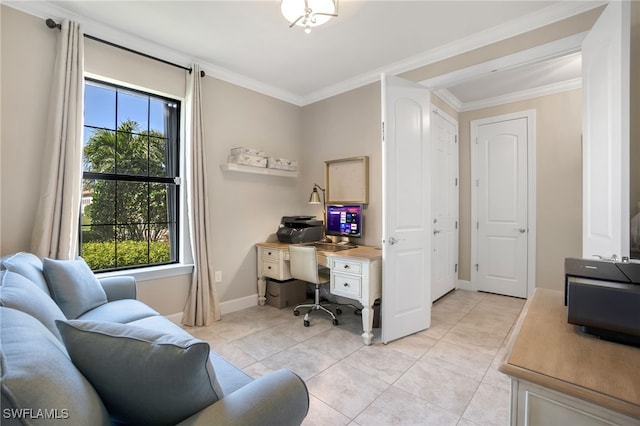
{"x": 406, "y": 208}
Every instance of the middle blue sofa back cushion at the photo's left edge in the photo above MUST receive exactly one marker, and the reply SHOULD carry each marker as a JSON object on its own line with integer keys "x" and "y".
{"x": 19, "y": 293}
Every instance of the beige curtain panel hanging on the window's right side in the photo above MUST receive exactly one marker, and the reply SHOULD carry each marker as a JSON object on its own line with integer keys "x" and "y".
{"x": 202, "y": 304}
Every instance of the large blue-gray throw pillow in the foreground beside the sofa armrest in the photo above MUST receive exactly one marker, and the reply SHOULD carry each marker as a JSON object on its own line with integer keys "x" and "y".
{"x": 143, "y": 376}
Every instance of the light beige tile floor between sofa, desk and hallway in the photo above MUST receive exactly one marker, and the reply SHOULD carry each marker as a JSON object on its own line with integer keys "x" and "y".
{"x": 446, "y": 375}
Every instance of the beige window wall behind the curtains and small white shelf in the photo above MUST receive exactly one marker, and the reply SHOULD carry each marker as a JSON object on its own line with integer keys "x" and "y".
{"x": 246, "y": 208}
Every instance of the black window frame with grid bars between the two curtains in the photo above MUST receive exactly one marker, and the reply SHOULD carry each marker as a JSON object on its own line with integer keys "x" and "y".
{"x": 171, "y": 181}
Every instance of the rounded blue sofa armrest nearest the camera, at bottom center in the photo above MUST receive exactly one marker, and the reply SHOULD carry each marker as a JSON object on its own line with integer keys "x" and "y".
{"x": 278, "y": 398}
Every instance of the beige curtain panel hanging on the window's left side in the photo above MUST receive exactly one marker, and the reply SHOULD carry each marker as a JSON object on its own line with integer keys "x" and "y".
{"x": 55, "y": 232}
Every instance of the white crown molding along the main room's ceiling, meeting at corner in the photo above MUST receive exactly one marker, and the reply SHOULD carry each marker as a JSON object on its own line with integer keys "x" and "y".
{"x": 546, "y": 16}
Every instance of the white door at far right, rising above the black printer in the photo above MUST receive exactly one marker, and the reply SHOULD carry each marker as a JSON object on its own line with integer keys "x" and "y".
{"x": 605, "y": 146}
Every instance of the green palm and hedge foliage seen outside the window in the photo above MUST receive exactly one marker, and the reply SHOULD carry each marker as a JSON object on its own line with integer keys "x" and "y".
{"x": 127, "y": 222}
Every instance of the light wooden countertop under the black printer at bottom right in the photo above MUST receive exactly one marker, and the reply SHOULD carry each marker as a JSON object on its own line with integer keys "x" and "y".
{"x": 546, "y": 350}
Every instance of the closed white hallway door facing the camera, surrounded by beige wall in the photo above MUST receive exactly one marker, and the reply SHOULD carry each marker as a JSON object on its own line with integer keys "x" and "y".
{"x": 502, "y": 204}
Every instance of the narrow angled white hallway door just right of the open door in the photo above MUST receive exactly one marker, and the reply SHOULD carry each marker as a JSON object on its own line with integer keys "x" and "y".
{"x": 444, "y": 208}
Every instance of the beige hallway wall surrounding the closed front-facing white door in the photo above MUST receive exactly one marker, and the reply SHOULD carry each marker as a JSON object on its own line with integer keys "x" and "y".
{"x": 558, "y": 182}
